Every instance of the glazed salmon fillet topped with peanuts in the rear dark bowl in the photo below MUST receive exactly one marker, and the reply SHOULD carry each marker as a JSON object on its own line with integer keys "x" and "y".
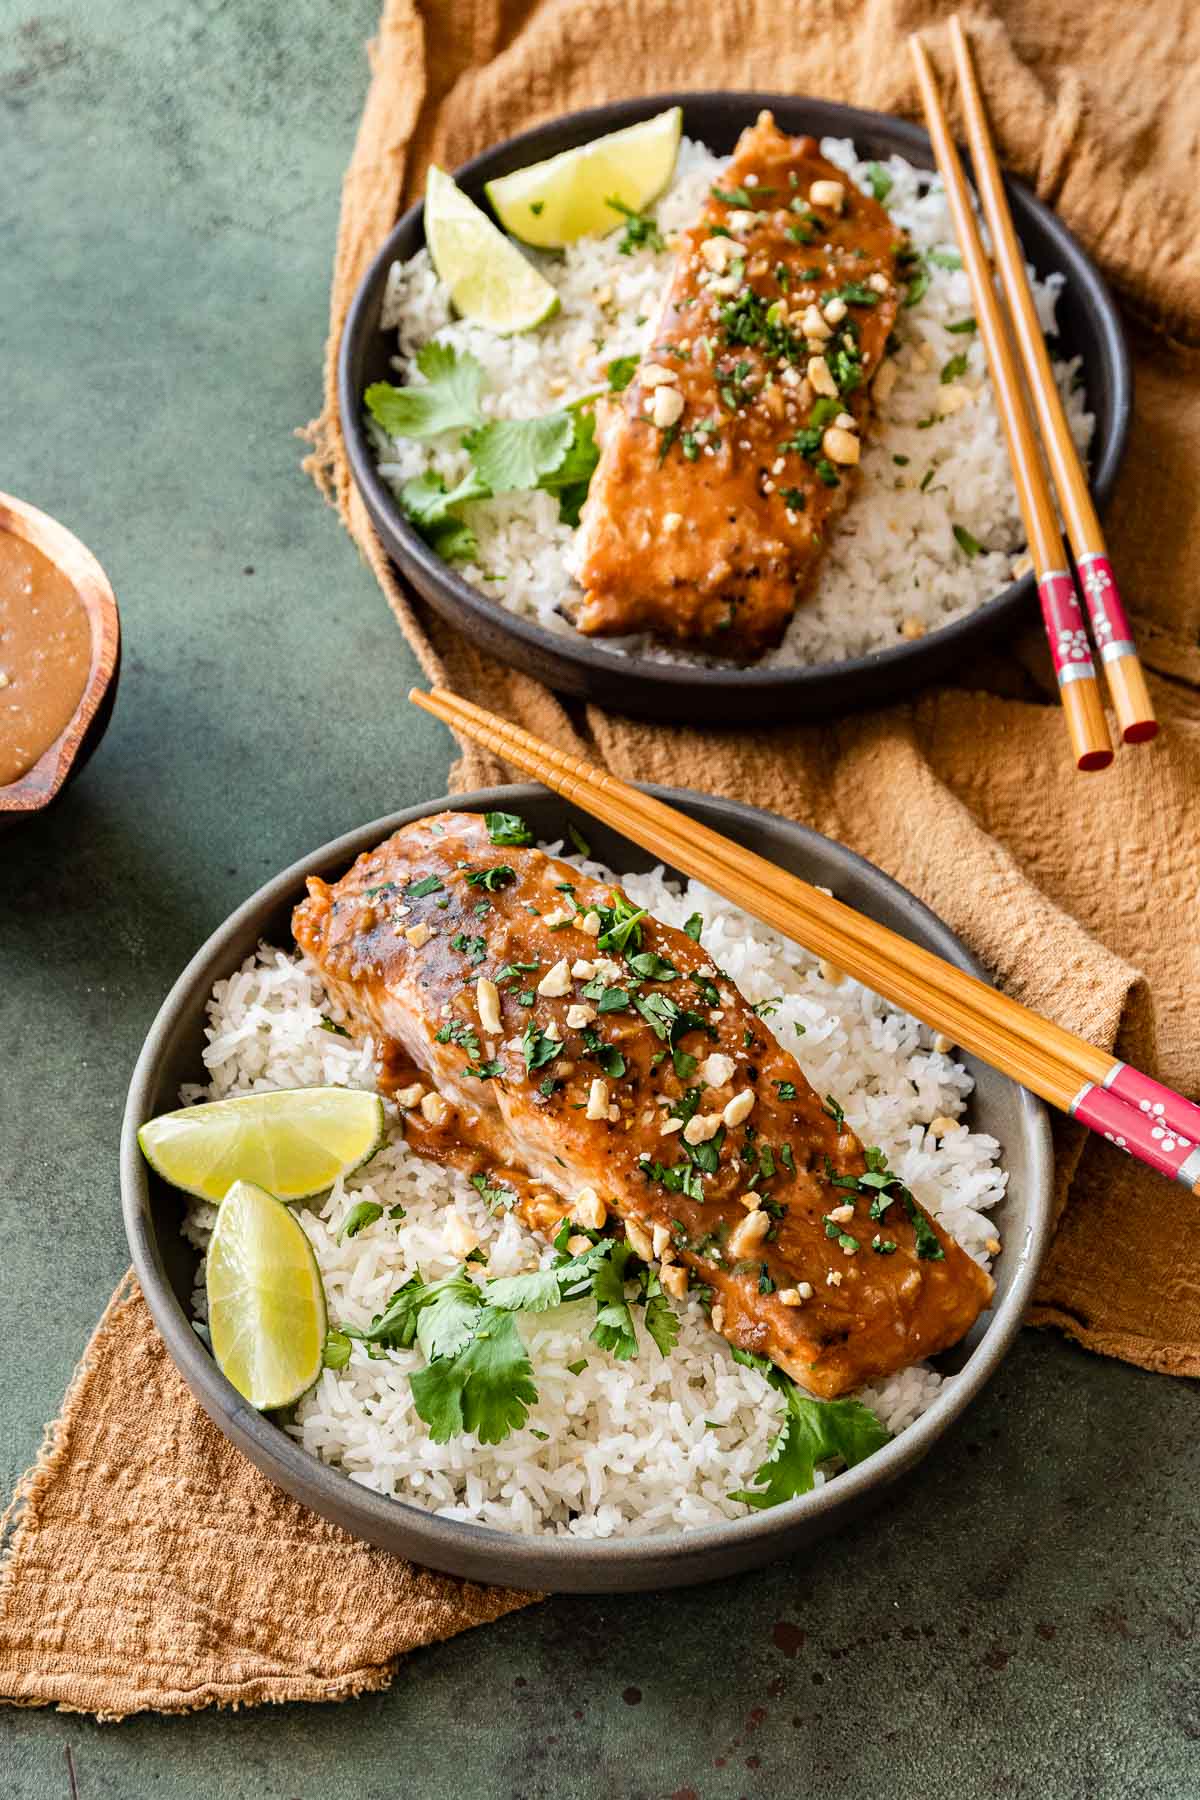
{"x": 737, "y": 442}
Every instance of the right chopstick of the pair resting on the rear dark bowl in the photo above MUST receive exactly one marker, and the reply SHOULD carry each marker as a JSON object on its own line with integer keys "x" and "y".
{"x": 1111, "y": 627}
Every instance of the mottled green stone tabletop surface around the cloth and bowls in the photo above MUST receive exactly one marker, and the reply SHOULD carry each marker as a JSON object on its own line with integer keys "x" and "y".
{"x": 1021, "y": 1621}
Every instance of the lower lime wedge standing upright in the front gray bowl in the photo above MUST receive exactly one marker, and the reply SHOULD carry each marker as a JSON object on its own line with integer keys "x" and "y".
{"x": 267, "y": 1308}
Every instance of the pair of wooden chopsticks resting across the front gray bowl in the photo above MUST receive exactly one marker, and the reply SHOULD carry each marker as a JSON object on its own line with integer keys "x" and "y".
{"x": 1131, "y": 1110}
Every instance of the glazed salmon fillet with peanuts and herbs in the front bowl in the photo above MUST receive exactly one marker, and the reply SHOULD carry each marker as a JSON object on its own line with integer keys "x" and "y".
{"x": 587, "y": 1063}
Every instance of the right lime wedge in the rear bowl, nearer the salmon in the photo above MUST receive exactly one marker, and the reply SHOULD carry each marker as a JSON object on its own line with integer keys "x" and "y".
{"x": 566, "y": 199}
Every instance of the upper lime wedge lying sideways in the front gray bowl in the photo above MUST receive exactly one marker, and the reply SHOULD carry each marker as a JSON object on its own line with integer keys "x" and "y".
{"x": 294, "y": 1142}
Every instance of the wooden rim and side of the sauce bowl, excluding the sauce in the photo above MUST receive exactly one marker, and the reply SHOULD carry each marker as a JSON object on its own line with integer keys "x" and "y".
{"x": 71, "y": 750}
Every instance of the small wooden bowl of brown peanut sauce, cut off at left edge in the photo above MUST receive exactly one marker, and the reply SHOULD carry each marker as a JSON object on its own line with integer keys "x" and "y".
{"x": 60, "y": 652}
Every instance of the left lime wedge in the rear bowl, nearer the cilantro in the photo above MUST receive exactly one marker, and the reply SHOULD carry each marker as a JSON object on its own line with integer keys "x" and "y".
{"x": 490, "y": 282}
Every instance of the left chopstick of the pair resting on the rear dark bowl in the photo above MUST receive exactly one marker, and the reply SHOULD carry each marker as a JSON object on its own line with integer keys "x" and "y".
{"x": 1061, "y": 609}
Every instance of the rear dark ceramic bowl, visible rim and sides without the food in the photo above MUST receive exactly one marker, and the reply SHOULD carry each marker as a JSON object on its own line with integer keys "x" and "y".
{"x": 575, "y": 665}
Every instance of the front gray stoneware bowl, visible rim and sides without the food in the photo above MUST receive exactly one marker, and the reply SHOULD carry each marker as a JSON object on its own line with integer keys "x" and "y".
{"x": 166, "y": 1264}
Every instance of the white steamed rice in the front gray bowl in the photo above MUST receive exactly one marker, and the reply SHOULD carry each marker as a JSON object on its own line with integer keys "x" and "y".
{"x": 643, "y": 1446}
